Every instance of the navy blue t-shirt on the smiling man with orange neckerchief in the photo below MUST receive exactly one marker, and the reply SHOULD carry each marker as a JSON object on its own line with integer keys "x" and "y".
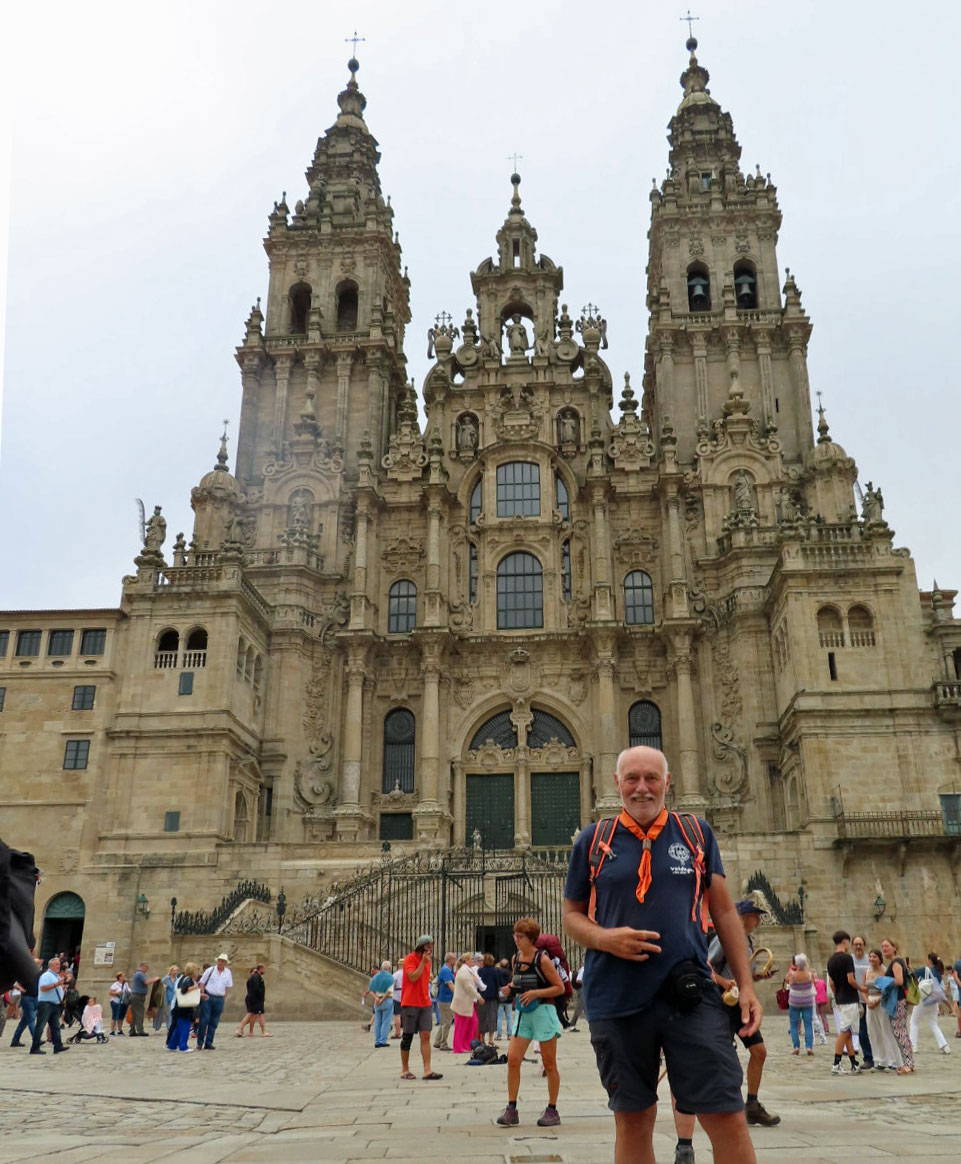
{"x": 614, "y": 986}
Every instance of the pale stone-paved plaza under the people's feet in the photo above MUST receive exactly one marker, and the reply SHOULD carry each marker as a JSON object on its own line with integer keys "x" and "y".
{"x": 321, "y": 1092}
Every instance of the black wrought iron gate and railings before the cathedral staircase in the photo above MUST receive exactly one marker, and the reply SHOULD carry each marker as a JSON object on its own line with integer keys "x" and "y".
{"x": 466, "y": 899}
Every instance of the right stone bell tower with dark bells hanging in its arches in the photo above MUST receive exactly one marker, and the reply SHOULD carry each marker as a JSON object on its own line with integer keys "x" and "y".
{"x": 718, "y": 324}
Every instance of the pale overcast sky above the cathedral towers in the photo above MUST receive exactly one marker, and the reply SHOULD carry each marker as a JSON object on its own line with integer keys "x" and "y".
{"x": 148, "y": 146}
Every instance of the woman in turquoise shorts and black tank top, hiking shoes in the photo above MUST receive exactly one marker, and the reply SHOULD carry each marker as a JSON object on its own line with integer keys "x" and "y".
{"x": 536, "y": 984}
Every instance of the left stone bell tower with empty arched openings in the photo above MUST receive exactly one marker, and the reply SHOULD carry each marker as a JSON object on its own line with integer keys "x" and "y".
{"x": 326, "y": 364}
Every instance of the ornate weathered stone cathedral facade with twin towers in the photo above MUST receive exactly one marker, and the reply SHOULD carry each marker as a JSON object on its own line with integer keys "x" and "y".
{"x": 442, "y": 634}
